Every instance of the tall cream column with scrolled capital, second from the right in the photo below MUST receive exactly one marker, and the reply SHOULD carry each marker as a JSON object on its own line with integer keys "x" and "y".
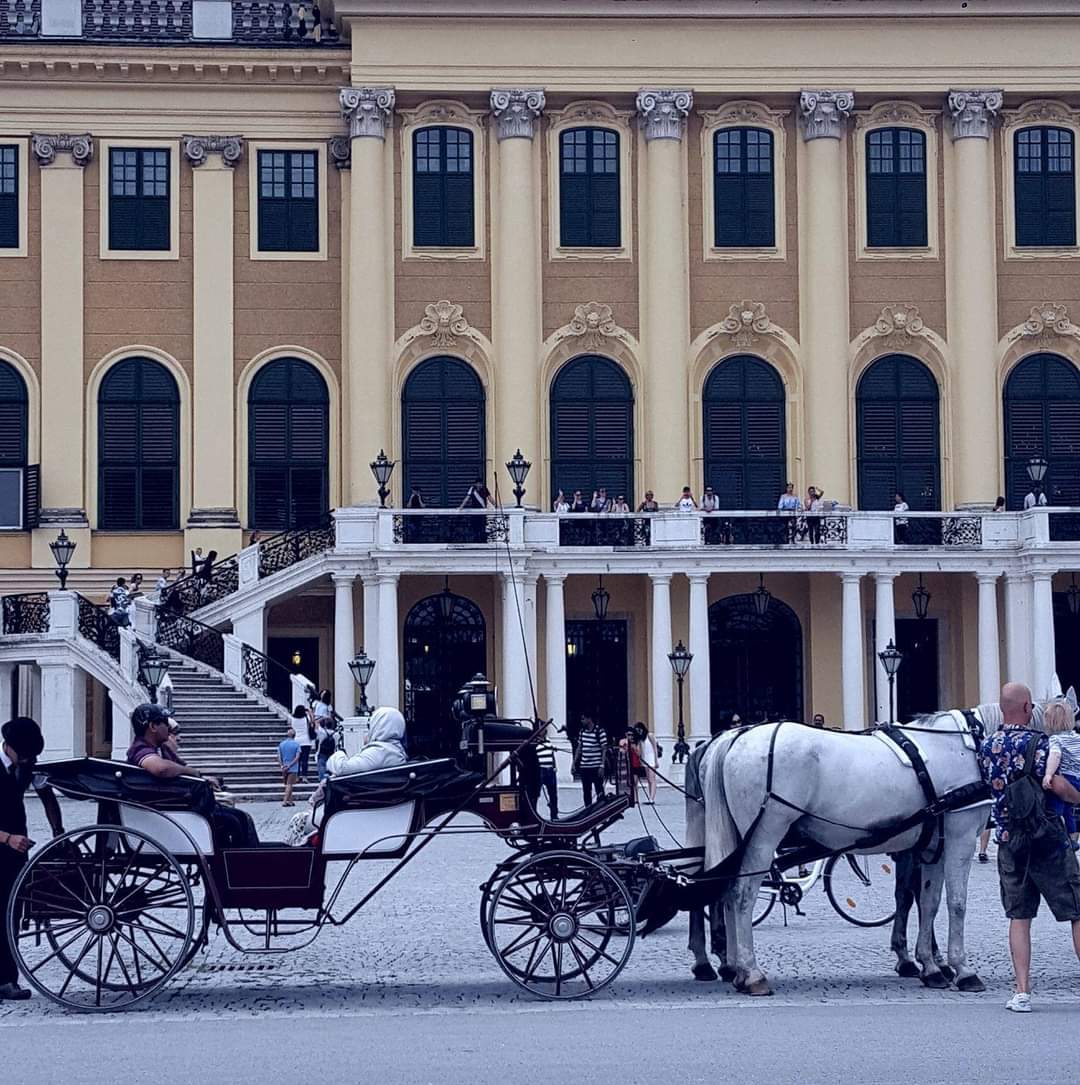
{"x": 823, "y": 287}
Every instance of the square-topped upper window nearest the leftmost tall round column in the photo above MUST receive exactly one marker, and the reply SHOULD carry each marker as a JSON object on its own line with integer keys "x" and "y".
{"x": 288, "y": 202}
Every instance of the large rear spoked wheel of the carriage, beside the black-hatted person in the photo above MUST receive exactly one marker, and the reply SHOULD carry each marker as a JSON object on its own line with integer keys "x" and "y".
{"x": 101, "y": 918}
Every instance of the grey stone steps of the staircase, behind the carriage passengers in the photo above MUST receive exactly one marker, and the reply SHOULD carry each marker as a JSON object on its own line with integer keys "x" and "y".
{"x": 228, "y": 734}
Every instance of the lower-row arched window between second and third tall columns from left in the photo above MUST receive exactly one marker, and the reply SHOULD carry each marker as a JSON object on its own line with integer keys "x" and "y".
{"x": 593, "y": 429}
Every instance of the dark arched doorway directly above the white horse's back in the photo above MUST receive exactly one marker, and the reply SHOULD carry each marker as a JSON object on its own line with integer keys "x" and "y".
{"x": 755, "y": 662}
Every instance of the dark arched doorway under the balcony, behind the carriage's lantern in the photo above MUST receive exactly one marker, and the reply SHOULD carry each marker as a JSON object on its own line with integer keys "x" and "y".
{"x": 446, "y": 645}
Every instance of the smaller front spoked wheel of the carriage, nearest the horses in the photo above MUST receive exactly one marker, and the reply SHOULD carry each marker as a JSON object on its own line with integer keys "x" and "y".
{"x": 558, "y": 925}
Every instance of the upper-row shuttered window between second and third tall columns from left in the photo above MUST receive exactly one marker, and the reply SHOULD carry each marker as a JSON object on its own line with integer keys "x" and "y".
{"x": 589, "y": 189}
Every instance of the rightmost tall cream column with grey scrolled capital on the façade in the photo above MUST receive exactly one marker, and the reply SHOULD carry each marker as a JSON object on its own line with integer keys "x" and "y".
{"x": 972, "y": 290}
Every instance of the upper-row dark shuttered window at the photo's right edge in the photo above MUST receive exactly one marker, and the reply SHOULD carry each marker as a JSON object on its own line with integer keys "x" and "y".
{"x": 1045, "y": 183}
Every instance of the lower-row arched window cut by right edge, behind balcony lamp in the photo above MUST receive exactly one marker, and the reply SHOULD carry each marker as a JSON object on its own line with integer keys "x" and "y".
{"x": 1043, "y": 419}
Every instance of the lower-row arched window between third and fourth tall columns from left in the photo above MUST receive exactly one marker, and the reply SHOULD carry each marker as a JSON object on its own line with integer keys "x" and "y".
{"x": 745, "y": 436}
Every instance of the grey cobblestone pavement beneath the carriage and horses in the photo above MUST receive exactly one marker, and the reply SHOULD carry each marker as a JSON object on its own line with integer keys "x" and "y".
{"x": 418, "y": 947}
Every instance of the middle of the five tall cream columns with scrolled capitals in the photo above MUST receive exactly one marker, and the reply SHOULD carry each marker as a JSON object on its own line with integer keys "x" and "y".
{"x": 665, "y": 292}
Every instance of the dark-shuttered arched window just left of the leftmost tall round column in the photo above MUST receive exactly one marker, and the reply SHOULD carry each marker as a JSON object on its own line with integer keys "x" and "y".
{"x": 288, "y": 446}
